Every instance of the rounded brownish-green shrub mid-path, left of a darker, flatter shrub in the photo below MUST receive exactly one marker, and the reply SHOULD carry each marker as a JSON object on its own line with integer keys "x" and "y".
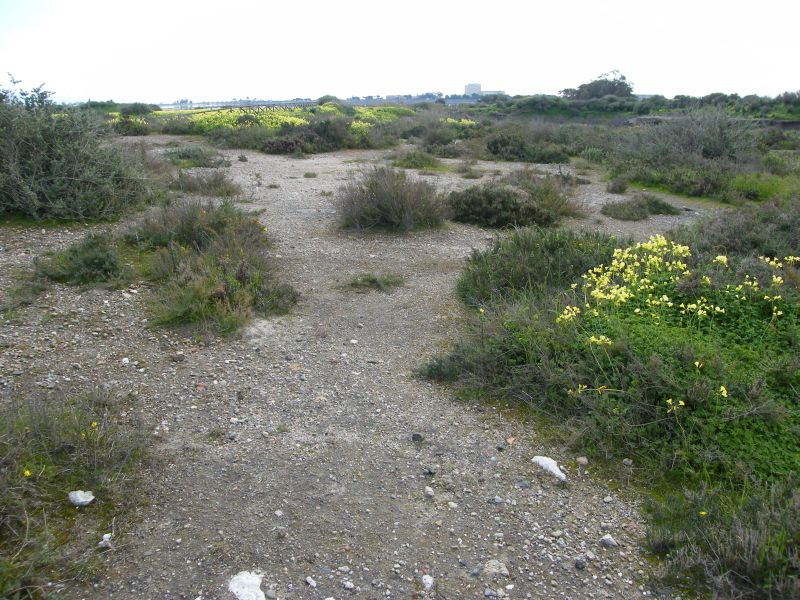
{"x": 386, "y": 199}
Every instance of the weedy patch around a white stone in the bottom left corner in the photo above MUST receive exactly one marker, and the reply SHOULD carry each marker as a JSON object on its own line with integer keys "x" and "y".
{"x": 48, "y": 448}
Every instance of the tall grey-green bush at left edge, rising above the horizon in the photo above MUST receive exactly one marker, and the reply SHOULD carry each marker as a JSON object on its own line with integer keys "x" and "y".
{"x": 53, "y": 166}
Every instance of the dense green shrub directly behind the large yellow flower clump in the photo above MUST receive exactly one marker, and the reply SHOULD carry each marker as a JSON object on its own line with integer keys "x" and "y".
{"x": 531, "y": 261}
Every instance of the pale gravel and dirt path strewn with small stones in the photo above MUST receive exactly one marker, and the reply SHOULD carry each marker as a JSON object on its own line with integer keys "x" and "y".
{"x": 290, "y": 452}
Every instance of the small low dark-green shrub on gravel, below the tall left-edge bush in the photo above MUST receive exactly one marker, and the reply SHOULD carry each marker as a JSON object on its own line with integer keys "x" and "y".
{"x": 91, "y": 260}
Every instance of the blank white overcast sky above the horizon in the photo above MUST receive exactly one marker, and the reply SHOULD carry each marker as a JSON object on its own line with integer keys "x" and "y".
{"x": 162, "y": 51}
